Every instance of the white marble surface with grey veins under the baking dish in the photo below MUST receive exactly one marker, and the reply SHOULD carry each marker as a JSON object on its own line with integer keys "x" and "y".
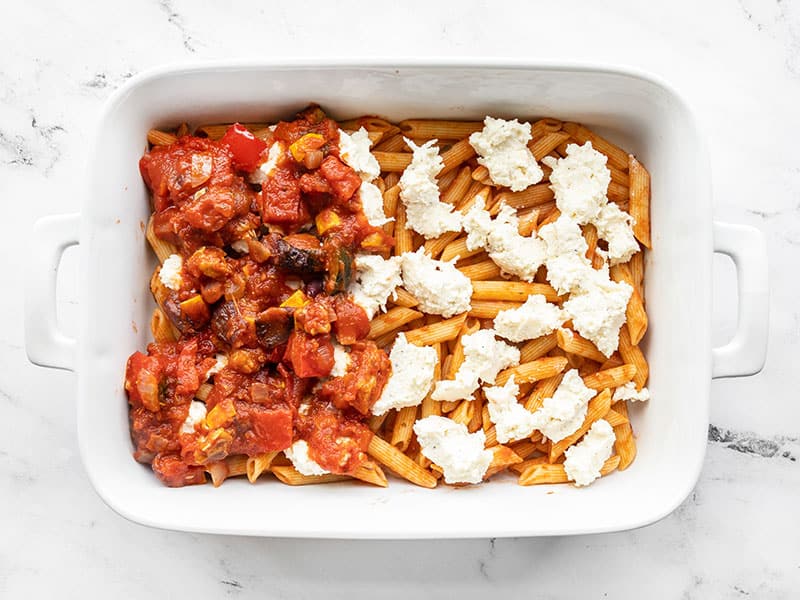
{"x": 738, "y": 65}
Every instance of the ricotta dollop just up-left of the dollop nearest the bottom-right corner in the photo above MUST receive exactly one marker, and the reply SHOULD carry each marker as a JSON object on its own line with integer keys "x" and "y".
{"x": 562, "y": 415}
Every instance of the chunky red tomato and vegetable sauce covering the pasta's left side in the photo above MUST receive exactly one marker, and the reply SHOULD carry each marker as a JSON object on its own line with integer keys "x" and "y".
{"x": 267, "y": 259}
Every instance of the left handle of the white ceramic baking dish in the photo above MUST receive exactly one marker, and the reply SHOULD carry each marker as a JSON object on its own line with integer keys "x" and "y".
{"x": 45, "y": 344}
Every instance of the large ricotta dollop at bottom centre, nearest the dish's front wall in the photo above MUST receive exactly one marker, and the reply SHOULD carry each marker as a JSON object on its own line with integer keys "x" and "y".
{"x": 461, "y": 455}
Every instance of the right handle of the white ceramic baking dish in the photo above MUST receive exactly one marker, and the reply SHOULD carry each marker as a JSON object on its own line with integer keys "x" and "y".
{"x": 746, "y": 352}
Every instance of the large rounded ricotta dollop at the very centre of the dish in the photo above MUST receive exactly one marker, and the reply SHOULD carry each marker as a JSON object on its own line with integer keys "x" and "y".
{"x": 440, "y": 288}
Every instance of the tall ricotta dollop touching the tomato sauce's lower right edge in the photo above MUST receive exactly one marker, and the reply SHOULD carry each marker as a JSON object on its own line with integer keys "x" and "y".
{"x": 412, "y": 376}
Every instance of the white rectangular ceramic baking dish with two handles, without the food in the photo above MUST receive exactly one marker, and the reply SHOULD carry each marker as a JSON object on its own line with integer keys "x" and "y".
{"x": 639, "y": 113}
